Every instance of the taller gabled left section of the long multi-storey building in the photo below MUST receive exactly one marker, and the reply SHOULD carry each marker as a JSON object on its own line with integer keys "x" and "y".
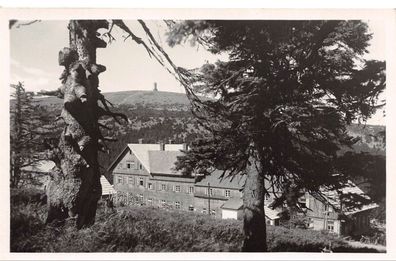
{"x": 145, "y": 173}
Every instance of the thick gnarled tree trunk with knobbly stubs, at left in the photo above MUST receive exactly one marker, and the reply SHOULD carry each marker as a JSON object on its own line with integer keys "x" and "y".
{"x": 75, "y": 189}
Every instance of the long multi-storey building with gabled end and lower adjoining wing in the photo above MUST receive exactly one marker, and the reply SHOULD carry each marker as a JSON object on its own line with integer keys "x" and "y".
{"x": 145, "y": 173}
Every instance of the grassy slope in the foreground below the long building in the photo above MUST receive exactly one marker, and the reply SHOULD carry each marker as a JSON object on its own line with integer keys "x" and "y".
{"x": 144, "y": 229}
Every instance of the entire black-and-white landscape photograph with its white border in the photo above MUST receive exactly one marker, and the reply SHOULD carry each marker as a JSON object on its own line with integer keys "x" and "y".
{"x": 263, "y": 132}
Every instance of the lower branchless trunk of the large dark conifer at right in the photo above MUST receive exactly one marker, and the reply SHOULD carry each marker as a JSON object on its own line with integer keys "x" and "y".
{"x": 254, "y": 225}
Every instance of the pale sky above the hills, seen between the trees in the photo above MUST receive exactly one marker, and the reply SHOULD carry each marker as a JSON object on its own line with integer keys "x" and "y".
{"x": 34, "y": 58}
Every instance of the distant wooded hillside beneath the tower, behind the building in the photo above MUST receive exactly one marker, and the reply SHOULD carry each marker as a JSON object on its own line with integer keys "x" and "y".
{"x": 165, "y": 116}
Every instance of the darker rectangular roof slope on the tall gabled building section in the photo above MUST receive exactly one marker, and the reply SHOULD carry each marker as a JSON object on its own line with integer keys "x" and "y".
{"x": 163, "y": 162}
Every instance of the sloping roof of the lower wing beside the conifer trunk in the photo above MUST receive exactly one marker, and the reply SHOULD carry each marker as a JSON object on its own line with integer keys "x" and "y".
{"x": 215, "y": 180}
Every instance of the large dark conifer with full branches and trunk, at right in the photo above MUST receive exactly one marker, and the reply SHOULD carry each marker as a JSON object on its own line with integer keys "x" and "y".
{"x": 280, "y": 105}
